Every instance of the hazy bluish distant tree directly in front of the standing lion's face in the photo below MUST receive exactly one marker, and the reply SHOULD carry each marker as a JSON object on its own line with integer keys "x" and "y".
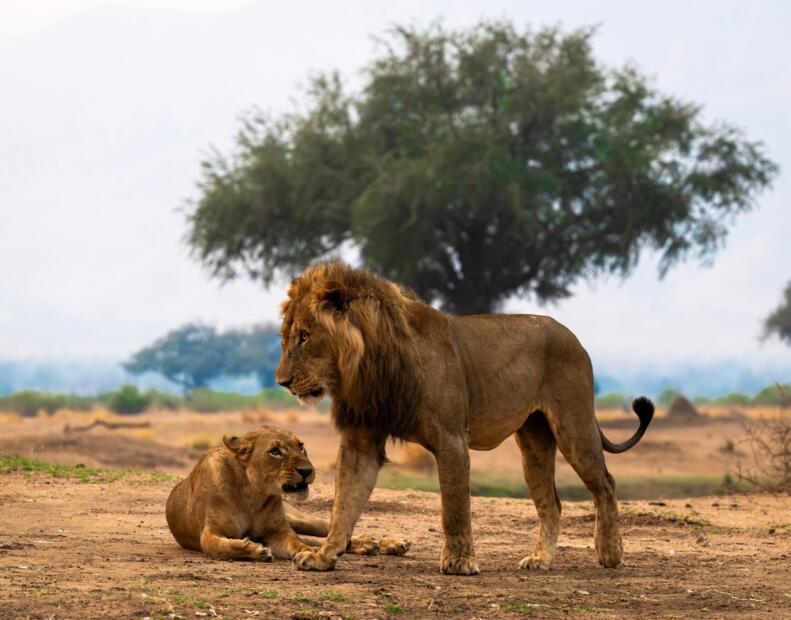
{"x": 254, "y": 351}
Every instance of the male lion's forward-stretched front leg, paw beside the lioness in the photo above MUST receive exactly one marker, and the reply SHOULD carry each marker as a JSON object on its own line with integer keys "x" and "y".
{"x": 355, "y": 477}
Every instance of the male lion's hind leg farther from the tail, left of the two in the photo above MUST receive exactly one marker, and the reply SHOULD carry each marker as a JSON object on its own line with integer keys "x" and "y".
{"x": 538, "y": 447}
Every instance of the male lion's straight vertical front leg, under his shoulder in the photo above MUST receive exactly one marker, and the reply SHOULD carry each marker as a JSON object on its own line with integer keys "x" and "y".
{"x": 453, "y": 467}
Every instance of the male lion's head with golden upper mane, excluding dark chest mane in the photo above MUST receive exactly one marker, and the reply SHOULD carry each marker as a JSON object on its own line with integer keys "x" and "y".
{"x": 332, "y": 318}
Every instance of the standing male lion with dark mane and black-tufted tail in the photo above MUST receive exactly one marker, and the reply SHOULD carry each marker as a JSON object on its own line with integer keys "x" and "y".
{"x": 397, "y": 368}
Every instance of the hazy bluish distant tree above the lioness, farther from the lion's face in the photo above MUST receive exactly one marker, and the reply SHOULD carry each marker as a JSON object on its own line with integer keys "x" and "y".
{"x": 189, "y": 356}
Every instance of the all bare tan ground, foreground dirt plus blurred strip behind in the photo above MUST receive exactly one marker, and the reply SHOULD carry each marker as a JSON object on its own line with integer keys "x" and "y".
{"x": 71, "y": 549}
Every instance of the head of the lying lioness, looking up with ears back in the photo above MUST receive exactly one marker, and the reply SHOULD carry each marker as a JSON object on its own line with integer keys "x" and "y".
{"x": 275, "y": 460}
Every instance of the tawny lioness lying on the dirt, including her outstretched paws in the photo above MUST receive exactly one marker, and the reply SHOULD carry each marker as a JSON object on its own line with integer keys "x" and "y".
{"x": 231, "y": 505}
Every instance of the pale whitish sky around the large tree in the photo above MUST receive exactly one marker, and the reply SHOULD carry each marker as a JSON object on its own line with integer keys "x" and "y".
{"x": 106, "y": 108}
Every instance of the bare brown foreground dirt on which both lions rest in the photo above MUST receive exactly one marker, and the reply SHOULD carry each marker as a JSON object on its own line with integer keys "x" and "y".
{"x": 85, "y": 550}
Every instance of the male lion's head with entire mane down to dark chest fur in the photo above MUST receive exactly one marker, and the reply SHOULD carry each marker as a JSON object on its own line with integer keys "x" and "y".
{"x": 346, "y": 334}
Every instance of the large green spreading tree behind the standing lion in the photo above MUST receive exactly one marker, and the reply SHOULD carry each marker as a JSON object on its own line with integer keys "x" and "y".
{"x": 476, "y": 165}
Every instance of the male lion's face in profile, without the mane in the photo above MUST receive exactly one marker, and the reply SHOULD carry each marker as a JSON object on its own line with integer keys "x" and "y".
{"x": 308, "y": 365}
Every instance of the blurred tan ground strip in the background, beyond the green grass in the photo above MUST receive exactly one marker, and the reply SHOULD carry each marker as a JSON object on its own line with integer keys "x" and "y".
{"x": 668, "y": 449}
